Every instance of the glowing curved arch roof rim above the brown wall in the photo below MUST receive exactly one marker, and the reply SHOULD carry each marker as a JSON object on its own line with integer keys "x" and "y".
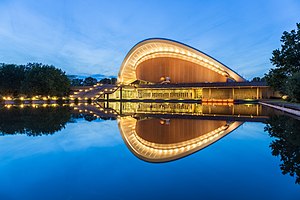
{"x": 160, "y": 47}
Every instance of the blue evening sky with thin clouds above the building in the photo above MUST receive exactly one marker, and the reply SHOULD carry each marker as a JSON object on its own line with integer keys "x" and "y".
{"x": 92, "y": 37}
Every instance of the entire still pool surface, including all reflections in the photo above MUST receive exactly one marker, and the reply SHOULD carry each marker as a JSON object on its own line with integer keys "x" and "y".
{"x": 148, "y": 151}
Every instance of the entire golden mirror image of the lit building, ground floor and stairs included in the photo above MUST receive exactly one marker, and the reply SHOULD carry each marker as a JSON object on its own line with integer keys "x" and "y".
{"x": 161, "y": 132}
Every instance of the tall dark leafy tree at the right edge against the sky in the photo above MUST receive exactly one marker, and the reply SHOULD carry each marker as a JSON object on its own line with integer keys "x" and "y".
{"x": 286, "y": 61}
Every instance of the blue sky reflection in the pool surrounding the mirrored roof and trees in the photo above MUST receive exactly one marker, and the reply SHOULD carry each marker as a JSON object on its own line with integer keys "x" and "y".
{"x": 89, "y": 160}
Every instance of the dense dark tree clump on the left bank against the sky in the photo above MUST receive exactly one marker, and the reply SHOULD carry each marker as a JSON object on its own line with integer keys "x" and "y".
{"x": 33, "y": 79}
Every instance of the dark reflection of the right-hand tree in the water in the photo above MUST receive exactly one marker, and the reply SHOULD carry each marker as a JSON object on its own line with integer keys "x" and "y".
{"x": 286, "y": 144}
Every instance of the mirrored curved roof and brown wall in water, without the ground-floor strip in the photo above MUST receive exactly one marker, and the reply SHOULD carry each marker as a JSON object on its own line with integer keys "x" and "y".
{"x": 162, "y": 140}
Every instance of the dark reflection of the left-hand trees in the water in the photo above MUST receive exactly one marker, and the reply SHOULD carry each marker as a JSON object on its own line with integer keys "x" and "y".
{"x": 38, "y": 121}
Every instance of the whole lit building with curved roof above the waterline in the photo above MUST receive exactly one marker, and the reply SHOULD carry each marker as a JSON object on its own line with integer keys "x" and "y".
{"x": 162, "y": 69}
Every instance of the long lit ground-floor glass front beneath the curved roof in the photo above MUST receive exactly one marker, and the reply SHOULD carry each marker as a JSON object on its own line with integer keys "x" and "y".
{"x": 185, "y": 93}
